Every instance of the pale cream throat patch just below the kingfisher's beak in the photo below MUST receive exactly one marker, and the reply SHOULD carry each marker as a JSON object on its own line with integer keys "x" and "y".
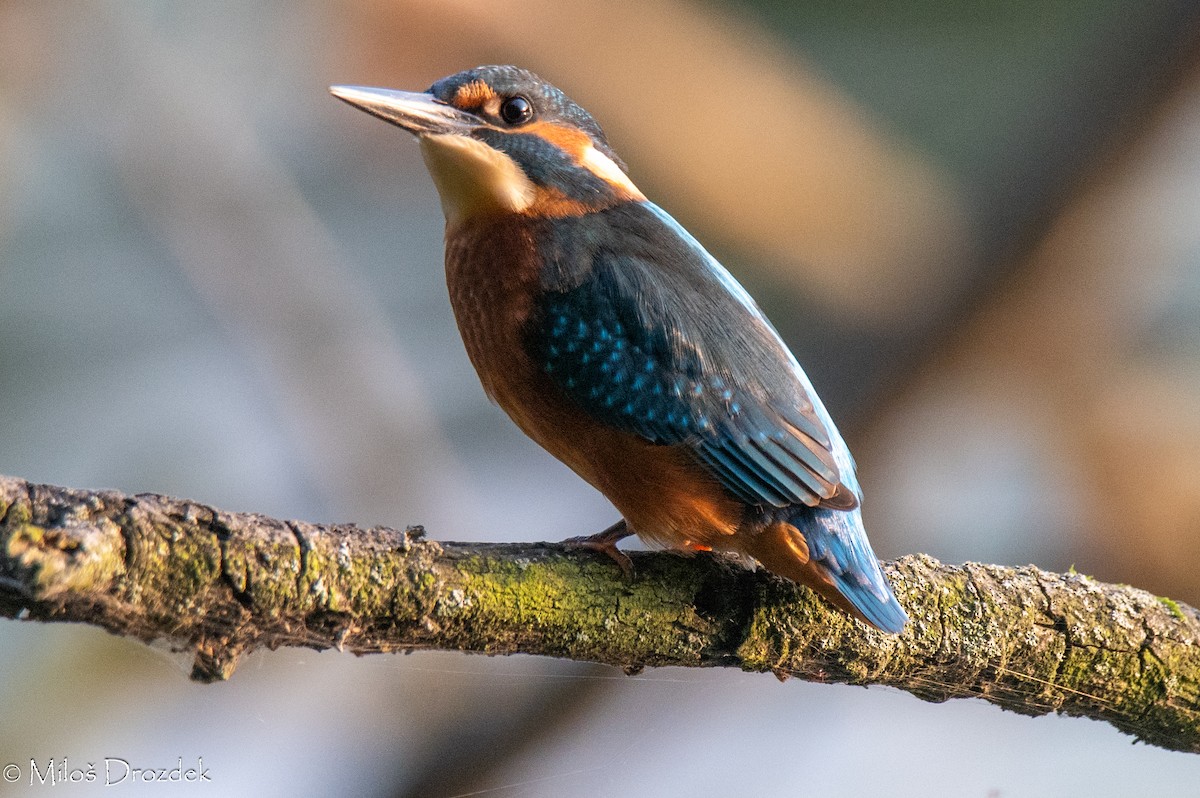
{"x": 473, "y": 178}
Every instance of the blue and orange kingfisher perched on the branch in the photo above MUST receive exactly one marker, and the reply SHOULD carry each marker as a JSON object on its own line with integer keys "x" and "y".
{"x": 621, "y": 346}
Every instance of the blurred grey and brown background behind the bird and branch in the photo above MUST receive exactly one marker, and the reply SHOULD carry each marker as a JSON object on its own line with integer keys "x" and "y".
{"x": 979, "y": 226}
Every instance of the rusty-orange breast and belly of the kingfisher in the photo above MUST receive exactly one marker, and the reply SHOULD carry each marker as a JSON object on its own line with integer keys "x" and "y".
{"x": 493, "y": 275}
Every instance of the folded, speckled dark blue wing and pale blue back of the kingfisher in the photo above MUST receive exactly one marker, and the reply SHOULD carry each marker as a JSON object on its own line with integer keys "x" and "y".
{"x": 645, "y": 331}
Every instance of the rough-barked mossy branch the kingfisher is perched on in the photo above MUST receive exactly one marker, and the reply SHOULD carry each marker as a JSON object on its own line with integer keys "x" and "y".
{"x": 223, "y": 584}
